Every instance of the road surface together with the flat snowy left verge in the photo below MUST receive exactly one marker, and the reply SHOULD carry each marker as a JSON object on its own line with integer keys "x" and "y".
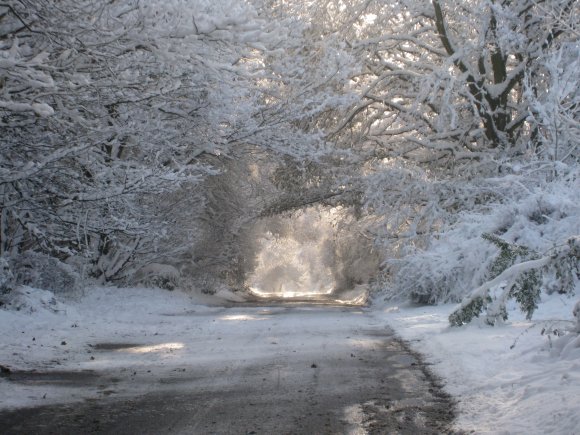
{"x": 155, "y": 363}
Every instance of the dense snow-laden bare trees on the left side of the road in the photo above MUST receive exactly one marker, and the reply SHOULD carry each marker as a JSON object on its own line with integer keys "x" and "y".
{"x": 107, "y": 105}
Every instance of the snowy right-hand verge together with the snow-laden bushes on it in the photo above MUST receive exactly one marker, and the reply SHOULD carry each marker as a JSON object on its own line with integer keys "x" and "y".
{"x": 520, "y": 376}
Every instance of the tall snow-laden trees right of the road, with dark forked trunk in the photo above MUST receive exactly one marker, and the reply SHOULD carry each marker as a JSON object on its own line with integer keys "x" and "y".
{"x": 448, "y": 98}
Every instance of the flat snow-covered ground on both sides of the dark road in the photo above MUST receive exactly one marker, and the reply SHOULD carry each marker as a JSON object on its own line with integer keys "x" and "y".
{"x": 508, "y": 379}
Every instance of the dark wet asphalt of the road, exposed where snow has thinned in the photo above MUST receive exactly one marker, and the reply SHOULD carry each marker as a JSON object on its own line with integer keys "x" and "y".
{"x": 361, "y": 380}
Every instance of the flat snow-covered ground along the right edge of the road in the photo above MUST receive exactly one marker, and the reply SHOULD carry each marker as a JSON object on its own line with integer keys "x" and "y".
{"x": 515, "y": 378}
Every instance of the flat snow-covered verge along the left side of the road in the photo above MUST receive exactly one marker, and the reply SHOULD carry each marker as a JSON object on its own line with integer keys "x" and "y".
{"x": 43, "y": 334}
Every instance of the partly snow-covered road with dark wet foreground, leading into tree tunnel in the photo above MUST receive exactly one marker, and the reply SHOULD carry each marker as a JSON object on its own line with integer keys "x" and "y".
{"x": 293, "y": 369}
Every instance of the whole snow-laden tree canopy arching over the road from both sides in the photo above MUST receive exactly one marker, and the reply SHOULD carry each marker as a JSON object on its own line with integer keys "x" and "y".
{"x": 143, "y": 132}
